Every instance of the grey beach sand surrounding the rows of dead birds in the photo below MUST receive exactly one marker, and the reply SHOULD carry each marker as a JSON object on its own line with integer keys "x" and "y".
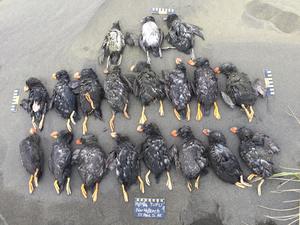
{"x": 40, "y": 37}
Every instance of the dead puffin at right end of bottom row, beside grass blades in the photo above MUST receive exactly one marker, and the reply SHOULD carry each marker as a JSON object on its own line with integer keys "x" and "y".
{"x": 256, "y": 150}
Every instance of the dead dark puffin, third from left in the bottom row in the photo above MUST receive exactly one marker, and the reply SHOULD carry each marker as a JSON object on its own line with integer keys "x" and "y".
{"x": 91, "y": 163}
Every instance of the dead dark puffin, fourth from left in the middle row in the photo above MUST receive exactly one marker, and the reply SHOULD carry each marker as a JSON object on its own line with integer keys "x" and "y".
{"x": 117, "y": 89}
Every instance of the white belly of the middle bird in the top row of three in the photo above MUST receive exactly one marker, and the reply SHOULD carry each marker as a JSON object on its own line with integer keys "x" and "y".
{"x": 150, "y": 33}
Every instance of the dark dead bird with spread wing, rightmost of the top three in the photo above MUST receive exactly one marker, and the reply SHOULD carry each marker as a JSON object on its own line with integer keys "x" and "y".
{"x": 181, "y": 35}
